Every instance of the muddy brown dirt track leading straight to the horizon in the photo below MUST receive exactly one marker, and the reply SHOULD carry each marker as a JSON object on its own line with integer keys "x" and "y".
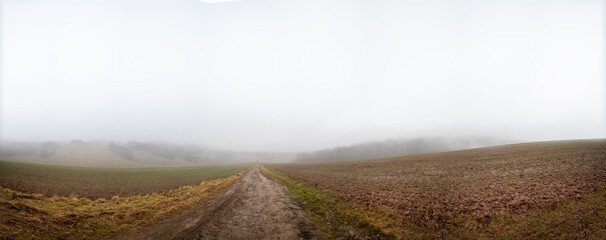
{"x": 254, "y": 208}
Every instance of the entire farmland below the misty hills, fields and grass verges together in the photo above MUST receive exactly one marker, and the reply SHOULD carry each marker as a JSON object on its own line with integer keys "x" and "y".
{"x": 536, "y": 190}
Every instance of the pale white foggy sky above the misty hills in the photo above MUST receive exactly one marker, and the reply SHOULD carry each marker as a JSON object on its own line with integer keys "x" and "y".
{"x": 283, "y": 75}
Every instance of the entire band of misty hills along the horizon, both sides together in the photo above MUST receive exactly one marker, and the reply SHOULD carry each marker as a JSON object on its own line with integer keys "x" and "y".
{"x": 152, "y": 154}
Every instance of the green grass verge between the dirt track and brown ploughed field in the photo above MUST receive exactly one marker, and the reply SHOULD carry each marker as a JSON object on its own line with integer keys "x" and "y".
{"x": 332, "y": 219}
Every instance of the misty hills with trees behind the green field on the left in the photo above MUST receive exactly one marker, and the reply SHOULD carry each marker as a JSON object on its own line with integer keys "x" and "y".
{"x": 129, "y": 154}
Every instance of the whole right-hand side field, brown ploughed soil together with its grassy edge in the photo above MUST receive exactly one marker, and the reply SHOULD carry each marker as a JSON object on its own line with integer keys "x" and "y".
{"x": 532, "y": 190}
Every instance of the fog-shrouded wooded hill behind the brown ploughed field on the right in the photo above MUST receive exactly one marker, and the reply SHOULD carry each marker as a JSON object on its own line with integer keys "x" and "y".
{"x": 398, "y": 147}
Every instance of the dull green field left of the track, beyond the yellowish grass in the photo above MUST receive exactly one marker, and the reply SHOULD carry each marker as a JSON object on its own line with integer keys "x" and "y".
{"x": 96, "y": 183}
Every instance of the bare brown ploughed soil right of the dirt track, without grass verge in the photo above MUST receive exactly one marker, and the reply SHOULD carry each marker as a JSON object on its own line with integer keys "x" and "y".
{"x": 479, "y": 183}
